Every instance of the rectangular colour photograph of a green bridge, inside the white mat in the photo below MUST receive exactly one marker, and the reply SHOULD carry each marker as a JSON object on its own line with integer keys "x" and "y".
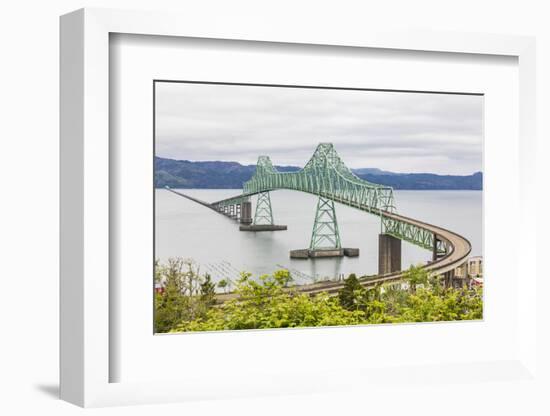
{"x": 285, "y": 206}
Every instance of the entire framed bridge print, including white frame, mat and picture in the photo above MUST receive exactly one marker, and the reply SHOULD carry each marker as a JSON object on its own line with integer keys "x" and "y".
{"x": 261, "y": 201}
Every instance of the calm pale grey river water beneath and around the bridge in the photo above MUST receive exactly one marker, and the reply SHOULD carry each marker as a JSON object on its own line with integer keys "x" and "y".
{"x": 186, "y": 229}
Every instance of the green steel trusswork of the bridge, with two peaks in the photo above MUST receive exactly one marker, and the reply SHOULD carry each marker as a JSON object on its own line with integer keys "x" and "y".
{"x": 326, "y": 175}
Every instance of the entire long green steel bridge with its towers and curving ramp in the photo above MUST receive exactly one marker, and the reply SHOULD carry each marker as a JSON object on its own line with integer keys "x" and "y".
{"x": 326, "y": 176}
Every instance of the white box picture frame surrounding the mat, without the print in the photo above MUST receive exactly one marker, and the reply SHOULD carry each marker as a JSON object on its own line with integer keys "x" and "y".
{"x": 85, "y": 167}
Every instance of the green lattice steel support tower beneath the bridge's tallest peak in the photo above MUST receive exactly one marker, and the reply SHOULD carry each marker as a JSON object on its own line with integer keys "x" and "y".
{"x": 325, "y": 234}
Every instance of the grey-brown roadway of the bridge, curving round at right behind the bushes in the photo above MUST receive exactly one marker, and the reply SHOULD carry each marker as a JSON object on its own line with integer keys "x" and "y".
{"x": 459, "y": 249}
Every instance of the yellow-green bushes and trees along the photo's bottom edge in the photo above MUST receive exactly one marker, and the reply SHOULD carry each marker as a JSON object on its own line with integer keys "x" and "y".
{"x": 188, "y": 302}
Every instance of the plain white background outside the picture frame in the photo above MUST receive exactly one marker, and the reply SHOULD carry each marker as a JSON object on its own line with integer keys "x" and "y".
{"x": 29, "y": 209}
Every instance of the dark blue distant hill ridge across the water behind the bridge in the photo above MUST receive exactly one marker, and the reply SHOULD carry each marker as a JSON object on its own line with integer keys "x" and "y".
{"x": 232, "y": 175}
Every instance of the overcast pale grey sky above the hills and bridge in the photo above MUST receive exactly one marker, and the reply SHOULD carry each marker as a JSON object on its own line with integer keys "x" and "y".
{"x": 395, "y": 131}
